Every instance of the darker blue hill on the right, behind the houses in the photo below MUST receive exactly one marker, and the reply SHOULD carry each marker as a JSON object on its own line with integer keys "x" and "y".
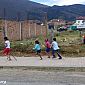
{"x": 66, "y": 12}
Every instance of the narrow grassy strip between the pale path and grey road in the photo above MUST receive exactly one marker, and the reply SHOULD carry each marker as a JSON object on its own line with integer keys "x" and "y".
{"x": 56, "y": 69}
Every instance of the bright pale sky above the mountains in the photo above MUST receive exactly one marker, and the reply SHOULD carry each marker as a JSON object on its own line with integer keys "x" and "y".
{"x": 59, "y": 2}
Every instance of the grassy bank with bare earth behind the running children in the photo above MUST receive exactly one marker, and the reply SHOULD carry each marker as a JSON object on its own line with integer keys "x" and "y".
{"x": 70, "y": 43}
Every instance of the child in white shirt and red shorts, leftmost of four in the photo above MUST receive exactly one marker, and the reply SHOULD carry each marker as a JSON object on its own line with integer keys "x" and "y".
{"x": 7, "y": 49}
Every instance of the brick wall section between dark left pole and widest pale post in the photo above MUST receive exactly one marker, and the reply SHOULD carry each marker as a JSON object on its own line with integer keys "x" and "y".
{"x": 13, "y": 30}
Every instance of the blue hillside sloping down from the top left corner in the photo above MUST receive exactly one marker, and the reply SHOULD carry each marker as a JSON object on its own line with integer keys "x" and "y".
{"x": 18, "y": 8}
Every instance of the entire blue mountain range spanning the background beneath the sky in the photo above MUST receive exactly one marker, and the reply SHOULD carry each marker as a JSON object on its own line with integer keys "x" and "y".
{"x": 25, "y": 9}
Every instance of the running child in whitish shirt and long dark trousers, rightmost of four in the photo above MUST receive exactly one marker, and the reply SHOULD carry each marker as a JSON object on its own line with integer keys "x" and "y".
{"x": 55, "y": 48}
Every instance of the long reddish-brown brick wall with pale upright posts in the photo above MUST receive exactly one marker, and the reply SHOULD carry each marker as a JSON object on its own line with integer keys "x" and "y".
{"x": 22, "y": 30}
